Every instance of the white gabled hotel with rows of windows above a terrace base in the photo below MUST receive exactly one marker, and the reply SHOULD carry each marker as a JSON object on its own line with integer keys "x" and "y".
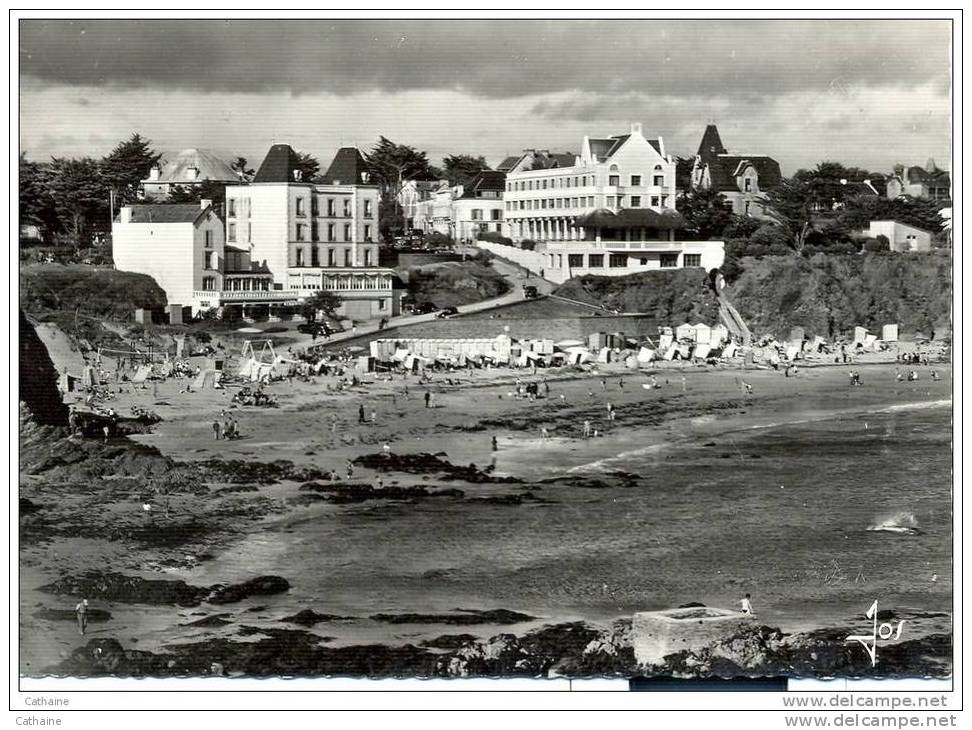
{"x": 610, "y": 212}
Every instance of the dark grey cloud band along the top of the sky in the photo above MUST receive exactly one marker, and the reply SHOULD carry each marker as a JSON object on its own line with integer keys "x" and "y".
{"x": 493, "y": 59}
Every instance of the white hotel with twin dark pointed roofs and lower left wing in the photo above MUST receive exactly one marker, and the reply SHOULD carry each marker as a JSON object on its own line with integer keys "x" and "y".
{"x": 283, "y": 240}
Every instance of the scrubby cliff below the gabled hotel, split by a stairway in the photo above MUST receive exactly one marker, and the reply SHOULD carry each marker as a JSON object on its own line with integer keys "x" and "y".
{"x": 826, "y": 294}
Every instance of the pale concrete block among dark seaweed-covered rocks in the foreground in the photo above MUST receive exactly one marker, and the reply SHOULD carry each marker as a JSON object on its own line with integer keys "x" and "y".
{"x": 660, "y": 633}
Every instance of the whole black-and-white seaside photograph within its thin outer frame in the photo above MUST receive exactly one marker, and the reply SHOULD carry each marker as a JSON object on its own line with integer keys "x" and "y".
{"x": 547, "y": 348}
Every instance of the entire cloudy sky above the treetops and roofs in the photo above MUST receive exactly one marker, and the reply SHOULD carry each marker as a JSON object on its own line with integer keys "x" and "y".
{"x": 869, "y": 93}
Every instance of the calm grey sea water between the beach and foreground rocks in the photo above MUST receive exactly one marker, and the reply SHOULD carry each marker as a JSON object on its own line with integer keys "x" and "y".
{"x": 780, "y": 512}
